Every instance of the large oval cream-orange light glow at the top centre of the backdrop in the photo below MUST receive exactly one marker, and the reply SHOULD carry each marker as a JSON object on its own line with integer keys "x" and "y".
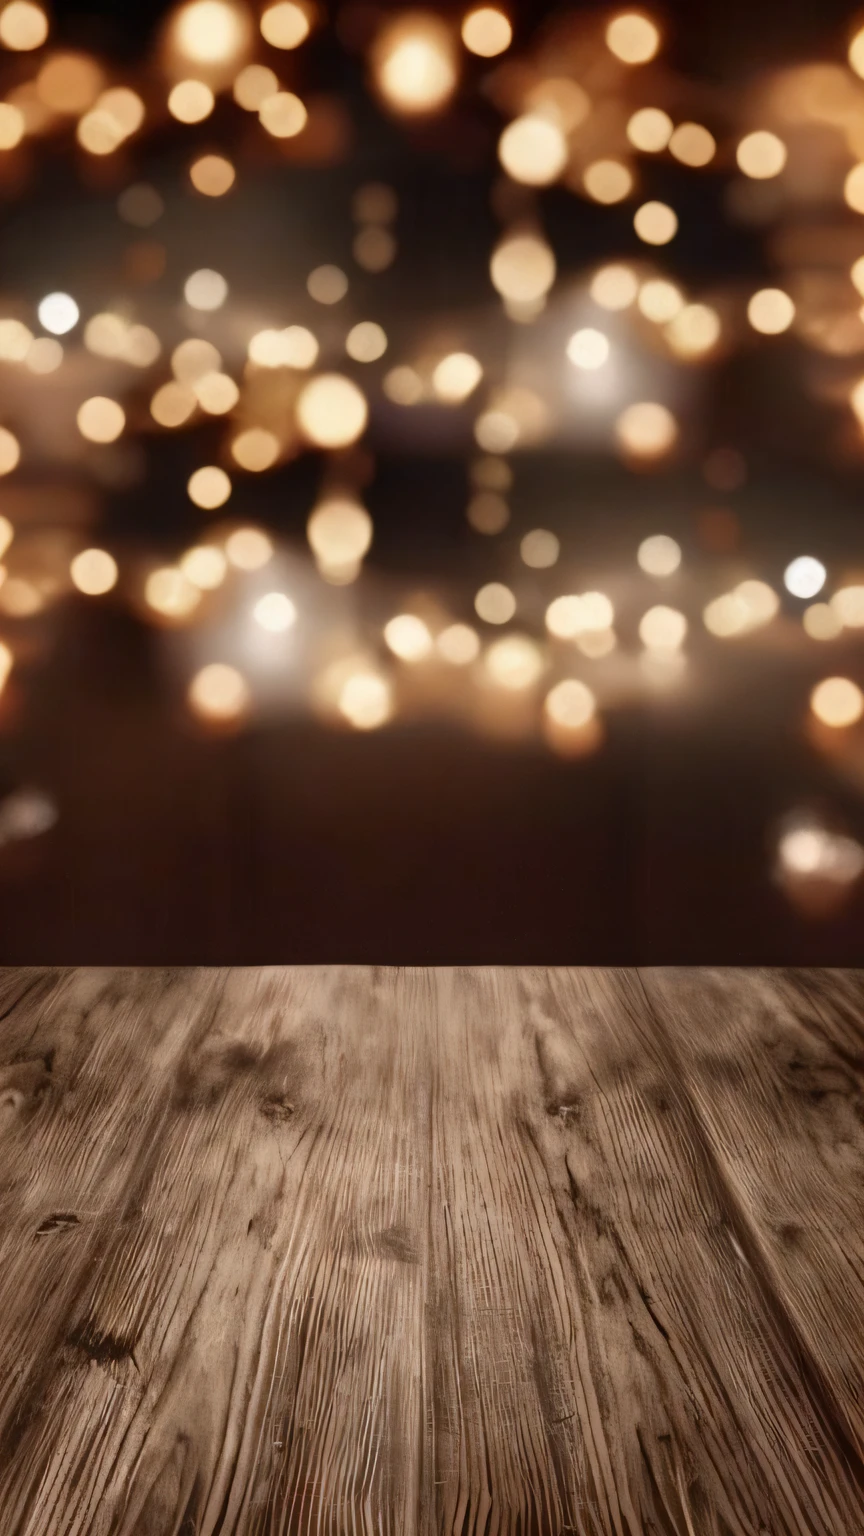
{"x": 414, "y": 64}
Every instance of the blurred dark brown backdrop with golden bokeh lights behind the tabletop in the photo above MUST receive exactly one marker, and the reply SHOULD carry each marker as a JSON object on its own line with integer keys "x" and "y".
{"x": 433, "y": 449}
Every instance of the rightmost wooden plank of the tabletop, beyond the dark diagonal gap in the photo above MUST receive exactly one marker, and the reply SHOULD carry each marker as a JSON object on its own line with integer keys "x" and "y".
{"x": 776, "y": 1070}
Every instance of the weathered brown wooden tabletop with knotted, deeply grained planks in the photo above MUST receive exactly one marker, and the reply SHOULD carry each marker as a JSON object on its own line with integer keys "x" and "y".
{"x": 473, "y": 1253}
